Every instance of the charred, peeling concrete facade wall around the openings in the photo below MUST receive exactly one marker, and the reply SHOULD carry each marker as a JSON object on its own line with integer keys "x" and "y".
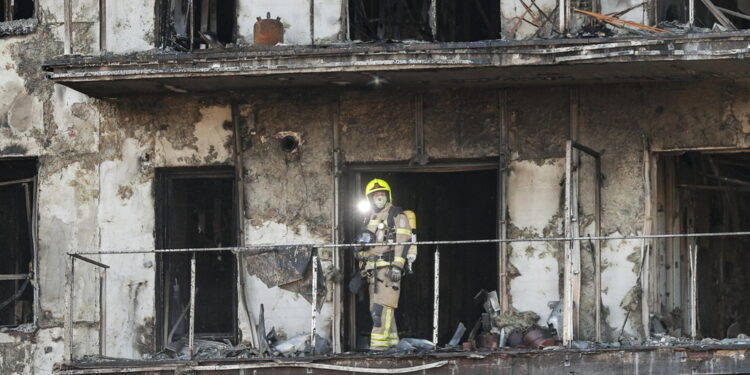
{"x": 97, "y": 162}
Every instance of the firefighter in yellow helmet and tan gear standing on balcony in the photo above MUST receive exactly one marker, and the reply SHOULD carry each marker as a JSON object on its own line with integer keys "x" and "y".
{"x": 384, "y": 265}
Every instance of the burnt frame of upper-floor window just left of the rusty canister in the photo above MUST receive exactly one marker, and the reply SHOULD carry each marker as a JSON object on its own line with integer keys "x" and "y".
{"x": 164, "y": 26}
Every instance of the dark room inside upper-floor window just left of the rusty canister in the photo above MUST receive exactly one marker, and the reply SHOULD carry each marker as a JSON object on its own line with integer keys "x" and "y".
{"x": 213, "y": 23}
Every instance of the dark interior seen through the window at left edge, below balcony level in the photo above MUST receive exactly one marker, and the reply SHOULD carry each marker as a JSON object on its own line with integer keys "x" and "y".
{"x": 17, "y": 186}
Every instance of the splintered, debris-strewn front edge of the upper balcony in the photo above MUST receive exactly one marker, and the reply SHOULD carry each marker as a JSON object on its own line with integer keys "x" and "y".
{"x": 405, "y": 57}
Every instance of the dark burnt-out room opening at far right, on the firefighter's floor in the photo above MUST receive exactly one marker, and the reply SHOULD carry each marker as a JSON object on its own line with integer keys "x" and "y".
{"x": 709, "y": 193}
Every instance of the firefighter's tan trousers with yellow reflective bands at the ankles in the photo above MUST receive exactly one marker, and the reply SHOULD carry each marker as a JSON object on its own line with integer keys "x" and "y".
{"x": 384, "y": 294}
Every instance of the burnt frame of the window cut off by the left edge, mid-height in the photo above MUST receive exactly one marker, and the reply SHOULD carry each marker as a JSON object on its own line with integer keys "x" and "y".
{"x": 32, "y": 194}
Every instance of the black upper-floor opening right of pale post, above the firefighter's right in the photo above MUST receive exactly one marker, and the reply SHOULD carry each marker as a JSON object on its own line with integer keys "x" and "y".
{"x": 465, "y": 21}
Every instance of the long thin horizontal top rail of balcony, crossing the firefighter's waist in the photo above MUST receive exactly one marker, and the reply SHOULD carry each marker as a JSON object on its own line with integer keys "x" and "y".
{"x": 260, "y": 249}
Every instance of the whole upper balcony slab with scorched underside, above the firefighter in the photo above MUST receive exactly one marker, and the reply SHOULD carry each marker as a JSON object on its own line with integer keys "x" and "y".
{"x": 361, "y": 65}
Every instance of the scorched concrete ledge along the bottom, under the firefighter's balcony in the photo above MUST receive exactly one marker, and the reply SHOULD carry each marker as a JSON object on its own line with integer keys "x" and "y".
{"x": 652, "y": 360}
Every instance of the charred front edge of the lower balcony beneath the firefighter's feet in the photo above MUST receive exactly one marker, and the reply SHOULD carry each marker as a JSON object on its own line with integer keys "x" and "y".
{"x": 722, "y": 357}
